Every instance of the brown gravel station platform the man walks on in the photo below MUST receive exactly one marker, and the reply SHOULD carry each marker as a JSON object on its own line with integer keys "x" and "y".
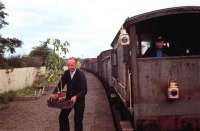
{"x": 35, "y": 115}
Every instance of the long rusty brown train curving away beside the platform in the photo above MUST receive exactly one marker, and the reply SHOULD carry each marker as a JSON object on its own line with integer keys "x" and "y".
{"x": 159, "y": 93}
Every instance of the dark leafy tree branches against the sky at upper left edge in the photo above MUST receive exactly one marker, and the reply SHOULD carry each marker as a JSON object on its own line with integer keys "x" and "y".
{"x": 6, "y": 44}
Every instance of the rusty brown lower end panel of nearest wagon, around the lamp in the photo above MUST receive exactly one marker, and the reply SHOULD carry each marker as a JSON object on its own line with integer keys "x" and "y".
{"x": 153, "y": 82}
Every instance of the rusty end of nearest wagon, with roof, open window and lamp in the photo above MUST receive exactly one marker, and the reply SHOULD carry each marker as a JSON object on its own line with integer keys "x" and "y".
{"x": 165, "y": 89}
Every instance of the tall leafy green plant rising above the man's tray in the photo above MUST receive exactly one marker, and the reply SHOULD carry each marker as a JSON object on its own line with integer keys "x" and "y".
{"x": 54, "y": 63}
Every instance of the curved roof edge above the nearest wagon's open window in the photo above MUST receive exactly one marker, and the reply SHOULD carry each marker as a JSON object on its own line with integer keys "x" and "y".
{"x": 163, "y": 12}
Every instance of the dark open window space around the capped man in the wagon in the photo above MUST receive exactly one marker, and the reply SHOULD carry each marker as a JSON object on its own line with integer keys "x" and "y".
{"x": 180, "y": 31}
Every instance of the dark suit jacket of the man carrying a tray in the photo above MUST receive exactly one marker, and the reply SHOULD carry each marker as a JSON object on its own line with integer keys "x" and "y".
{"x": 77, "y": 86}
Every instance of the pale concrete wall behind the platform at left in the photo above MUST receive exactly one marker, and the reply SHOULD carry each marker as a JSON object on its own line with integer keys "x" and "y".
{"x": 18, "y": 78}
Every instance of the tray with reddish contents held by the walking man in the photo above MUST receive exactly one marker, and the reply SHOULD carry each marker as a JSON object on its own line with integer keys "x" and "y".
{"x": 60, "y": 101}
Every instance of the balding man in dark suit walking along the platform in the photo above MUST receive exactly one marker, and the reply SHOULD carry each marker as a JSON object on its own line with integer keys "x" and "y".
{"x": 76, "y": 91}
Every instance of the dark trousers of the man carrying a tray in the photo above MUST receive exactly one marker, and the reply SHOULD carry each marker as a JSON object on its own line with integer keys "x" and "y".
{"x": 78, "y": 117}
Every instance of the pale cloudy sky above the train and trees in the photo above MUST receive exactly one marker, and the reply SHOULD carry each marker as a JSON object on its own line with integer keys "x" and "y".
{"x": 88, "y": 25}
